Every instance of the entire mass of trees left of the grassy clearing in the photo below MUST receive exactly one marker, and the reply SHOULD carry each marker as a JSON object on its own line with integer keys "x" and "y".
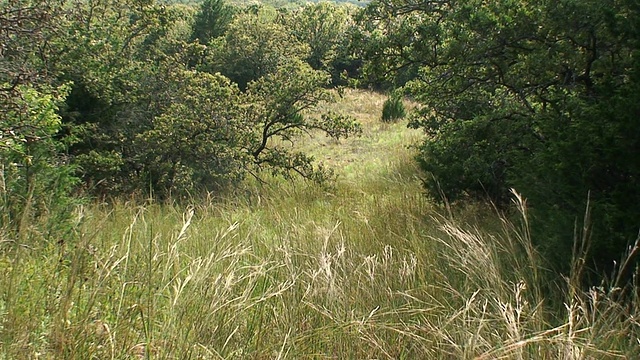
{"x": 140, "y": 96}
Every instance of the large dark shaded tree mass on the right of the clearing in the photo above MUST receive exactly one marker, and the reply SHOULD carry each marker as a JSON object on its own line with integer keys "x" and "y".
{"x": 524, "y": 94}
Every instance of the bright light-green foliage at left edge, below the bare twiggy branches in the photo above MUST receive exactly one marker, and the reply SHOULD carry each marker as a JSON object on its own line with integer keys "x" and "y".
{"x": 35, "y": 177}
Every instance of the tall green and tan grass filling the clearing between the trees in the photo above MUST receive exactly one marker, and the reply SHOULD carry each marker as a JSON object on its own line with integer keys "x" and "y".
{"x": 366, "y": 268}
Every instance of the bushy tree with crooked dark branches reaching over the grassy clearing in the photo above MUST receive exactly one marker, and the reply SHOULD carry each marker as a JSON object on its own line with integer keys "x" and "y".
{"x": 214, "y": 135}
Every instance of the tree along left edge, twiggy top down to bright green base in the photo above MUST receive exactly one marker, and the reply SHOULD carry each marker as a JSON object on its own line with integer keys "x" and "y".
{"x": 34, "y": 175}
